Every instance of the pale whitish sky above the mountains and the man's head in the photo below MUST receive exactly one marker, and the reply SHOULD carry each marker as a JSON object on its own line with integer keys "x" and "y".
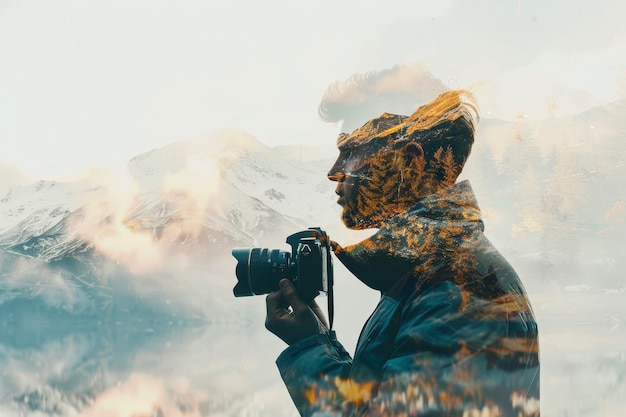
{"x": 91, "y": 83}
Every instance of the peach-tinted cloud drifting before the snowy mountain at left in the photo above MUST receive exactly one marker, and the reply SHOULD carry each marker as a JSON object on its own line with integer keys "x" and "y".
{"x": 139, "y": 227}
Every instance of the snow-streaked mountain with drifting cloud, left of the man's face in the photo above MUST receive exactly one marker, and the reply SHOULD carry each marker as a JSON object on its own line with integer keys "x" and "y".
{"x": 114, "y": 240}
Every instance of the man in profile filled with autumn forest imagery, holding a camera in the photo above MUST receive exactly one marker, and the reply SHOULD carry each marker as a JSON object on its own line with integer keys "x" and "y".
{"x": 453, "y": 333}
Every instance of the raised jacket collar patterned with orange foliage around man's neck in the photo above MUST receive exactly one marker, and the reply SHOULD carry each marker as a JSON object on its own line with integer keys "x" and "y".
{"x": 418, "y": 240}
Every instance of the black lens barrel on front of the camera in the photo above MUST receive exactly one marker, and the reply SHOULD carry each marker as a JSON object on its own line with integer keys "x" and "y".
{"x": 259, "y": 270}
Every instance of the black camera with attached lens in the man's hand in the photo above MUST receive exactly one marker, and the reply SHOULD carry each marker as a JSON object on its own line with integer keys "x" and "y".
{"x": 308, "y": 266}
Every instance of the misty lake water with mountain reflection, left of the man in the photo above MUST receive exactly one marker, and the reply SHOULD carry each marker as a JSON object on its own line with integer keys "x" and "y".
{"x": 57, "y": 368}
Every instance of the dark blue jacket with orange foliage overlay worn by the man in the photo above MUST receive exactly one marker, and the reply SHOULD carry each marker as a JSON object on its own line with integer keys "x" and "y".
{"x": 453, "y": 331}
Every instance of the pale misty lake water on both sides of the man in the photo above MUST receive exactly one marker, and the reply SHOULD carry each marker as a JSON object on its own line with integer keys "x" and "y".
{"x": 56, "y": 366}
